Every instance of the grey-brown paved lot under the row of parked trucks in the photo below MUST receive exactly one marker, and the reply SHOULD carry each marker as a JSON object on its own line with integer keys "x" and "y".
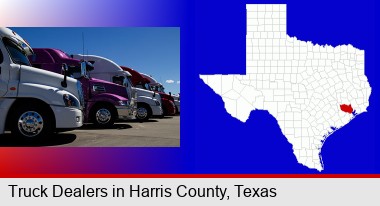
{"x": 163, "y": 132}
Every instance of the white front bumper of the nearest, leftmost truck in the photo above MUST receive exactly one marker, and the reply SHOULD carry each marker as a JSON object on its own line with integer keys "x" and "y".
{"x": 67, "y": 117}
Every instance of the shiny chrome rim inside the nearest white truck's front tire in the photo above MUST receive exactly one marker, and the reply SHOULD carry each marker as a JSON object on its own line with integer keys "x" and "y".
{"x": 30, "y": 124}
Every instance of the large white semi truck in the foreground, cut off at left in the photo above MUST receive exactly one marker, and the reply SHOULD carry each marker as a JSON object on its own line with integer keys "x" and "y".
{"x": 34, "y": 103}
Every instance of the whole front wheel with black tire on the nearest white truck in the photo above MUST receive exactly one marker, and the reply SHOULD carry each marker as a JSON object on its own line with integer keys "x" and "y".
{"x": 31, "y": 123}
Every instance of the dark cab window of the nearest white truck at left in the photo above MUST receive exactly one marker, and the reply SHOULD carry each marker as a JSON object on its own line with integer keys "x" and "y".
{"x": 16, "y": 52}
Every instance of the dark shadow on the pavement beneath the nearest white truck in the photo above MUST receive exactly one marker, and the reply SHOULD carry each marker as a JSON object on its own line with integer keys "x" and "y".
{"x": 7, "y": 140}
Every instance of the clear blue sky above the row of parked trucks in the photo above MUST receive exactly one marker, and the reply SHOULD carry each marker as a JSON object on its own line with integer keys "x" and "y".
{"x": 151, "y": 50}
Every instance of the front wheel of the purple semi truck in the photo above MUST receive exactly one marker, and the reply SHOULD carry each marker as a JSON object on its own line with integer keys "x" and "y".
{"x": 104, "y": 116}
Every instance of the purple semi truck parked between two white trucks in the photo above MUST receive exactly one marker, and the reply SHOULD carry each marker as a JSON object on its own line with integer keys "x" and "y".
{"x": 105, "y": 102}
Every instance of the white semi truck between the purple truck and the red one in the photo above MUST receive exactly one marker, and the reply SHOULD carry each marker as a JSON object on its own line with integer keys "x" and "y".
{"x": 148, "y": 102}
